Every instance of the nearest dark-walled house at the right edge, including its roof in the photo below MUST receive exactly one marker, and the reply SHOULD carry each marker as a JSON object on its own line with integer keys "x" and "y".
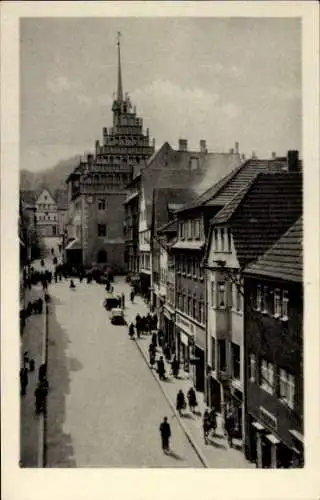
{"x": 273, "y": 359}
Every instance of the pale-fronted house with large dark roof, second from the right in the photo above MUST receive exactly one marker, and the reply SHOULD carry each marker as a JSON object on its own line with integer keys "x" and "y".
{"x": 241, "y": 232}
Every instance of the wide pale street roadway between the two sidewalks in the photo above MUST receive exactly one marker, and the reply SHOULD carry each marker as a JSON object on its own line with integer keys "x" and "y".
{"x": 104, "y": 406}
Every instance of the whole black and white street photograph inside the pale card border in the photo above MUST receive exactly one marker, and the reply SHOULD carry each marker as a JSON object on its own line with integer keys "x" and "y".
{"x": 160, "y": 238}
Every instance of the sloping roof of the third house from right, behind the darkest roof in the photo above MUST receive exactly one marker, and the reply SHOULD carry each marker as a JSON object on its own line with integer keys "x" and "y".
{"x": 226, "y": 188}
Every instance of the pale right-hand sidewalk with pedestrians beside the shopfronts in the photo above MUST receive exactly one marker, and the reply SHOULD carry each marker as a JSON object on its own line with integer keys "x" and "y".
{"x": 217, "y": 454}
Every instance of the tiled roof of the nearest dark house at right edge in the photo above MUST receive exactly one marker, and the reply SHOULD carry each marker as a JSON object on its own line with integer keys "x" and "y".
{"x": 284, "y": 259}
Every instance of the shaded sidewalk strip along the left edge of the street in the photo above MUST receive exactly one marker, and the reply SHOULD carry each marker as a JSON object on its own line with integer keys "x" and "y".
{"x": 31, "y": 341}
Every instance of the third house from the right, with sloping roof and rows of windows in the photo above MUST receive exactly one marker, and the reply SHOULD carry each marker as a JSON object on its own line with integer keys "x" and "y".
{"x": 193, "y": 228}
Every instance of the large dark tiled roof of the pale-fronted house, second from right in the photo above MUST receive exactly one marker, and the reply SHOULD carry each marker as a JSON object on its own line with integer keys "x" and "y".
{"x": 260, "y": 213}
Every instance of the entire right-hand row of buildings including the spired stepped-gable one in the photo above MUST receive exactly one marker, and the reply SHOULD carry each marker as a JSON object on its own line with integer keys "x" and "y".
{"x": 215, "y": 241}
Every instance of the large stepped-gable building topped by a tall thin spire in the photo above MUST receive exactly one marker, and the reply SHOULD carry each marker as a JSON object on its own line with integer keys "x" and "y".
{"x": 97, "y": 187}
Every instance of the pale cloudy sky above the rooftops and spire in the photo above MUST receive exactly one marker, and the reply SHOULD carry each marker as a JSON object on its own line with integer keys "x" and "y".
{"x": 224, "y": 80}
